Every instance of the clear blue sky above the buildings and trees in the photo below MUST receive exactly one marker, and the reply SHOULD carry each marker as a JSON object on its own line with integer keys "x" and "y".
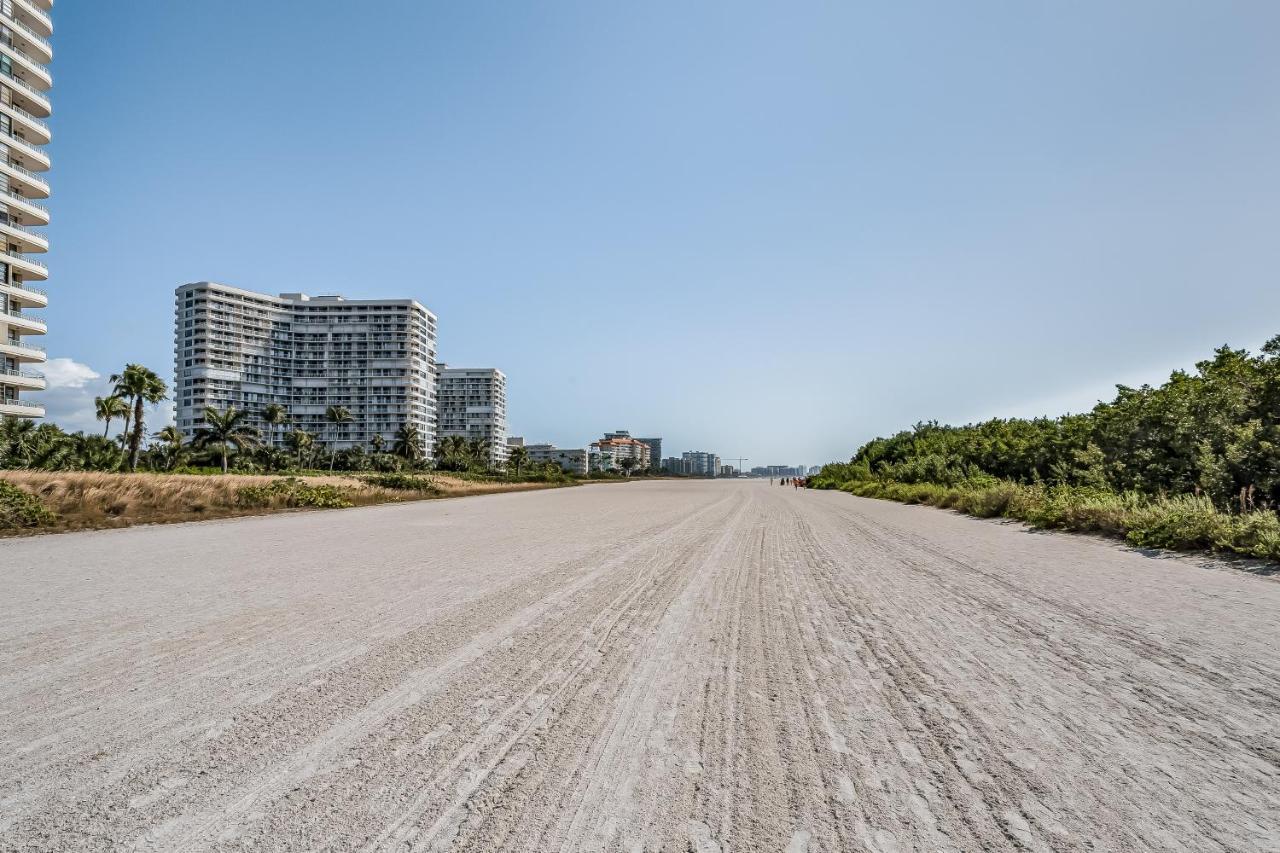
{"x": 765, "y": 230}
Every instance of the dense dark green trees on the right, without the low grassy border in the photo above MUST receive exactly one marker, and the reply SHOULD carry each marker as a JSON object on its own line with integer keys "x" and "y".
{"x": 1213, "y": 432}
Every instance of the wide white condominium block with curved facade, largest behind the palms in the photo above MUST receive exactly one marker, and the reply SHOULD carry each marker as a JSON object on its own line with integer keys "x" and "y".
{"x": 377, "y": 358}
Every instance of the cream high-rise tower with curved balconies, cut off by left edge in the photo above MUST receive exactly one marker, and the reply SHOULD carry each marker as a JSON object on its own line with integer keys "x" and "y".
{"x": 25, "y": 51}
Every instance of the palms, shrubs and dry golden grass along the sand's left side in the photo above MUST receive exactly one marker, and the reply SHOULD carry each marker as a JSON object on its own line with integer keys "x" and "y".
{"x": 57, "y": 480}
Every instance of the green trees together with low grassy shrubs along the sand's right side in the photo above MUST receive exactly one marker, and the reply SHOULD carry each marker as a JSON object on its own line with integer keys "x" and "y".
{"x": 1192, "y": 464}
